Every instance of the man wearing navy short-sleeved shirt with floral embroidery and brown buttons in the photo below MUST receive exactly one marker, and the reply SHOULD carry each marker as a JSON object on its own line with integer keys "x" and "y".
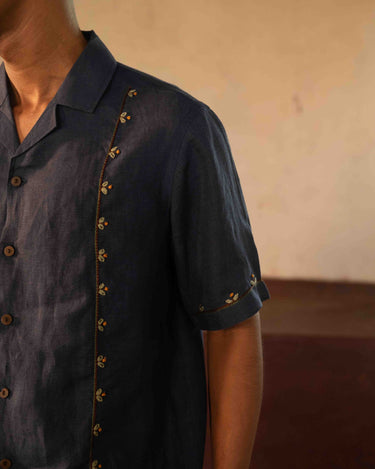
{"x": 124, "y": 236}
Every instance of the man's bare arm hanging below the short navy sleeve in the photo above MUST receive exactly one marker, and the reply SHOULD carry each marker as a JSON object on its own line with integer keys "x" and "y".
{"x": 234, "y": 362}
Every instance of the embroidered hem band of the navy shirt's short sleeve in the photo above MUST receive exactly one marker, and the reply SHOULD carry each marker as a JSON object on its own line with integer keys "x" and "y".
{"x": 233, "y": 313}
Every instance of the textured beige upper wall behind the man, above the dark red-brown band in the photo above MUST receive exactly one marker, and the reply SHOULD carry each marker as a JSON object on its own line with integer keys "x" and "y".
{"x": 294, "y": 84}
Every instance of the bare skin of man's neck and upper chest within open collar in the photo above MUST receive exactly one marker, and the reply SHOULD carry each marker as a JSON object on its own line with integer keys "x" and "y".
{"x": 40, "y": 40}
